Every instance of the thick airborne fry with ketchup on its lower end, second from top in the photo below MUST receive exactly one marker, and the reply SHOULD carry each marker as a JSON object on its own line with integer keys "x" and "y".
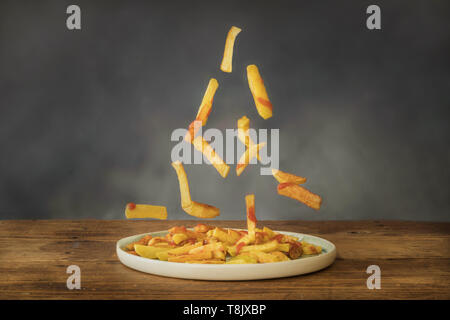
{"x": 256, "y": 84}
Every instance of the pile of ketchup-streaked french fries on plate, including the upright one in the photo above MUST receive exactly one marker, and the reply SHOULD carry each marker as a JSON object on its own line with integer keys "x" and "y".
{"x": 206, "y": 244}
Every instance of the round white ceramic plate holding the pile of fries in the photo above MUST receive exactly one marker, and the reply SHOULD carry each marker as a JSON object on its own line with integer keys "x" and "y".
{"x": 305, "y": 264}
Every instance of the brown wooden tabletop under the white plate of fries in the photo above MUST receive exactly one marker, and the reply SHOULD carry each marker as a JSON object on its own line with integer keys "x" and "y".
{"x": 34, "y": 254}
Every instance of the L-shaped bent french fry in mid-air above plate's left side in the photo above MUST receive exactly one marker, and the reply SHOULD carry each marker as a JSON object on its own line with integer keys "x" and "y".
{"x": 196, "y": 209}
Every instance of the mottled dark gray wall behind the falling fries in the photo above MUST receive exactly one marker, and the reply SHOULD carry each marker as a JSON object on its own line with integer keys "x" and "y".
{"x": 86, "y": 116}
